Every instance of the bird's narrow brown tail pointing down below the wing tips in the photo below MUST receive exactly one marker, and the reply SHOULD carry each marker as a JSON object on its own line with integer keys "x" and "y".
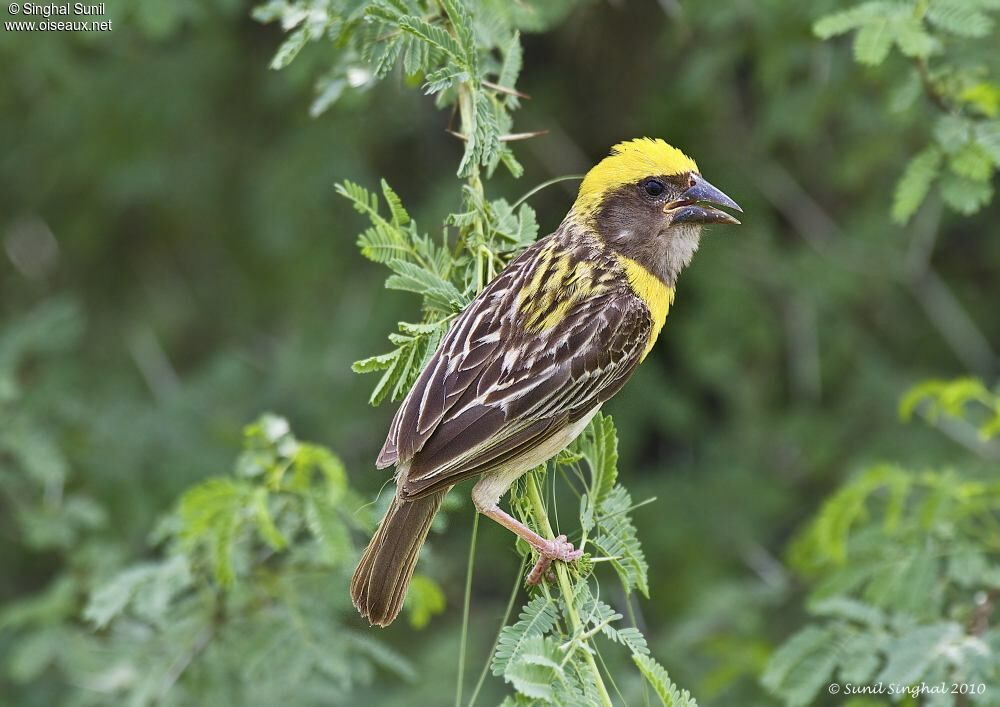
{"x": 379, "y": 583}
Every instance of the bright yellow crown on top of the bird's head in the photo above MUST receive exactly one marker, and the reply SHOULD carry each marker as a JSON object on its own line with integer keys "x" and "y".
{"x": 629, "y": 162}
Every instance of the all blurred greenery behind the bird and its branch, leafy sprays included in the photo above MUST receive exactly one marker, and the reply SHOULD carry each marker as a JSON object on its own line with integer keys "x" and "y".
{"x": 176, "y": 261}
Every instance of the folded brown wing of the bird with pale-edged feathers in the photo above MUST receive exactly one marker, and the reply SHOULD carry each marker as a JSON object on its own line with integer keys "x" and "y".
{"x": 534, "y": 386}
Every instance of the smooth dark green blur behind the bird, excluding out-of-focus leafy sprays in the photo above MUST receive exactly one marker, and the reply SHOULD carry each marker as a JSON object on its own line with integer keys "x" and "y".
{"x": 175, "y": 261}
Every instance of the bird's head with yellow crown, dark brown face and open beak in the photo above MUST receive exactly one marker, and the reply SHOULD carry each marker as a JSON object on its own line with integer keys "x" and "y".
{"x": 648, "y": 201}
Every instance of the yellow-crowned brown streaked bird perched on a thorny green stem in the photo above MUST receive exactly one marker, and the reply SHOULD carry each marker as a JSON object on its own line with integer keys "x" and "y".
{"x": 528, "y": 363}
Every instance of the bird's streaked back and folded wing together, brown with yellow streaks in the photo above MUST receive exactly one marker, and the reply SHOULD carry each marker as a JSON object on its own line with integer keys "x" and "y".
{"x": 503, "y": 382}
